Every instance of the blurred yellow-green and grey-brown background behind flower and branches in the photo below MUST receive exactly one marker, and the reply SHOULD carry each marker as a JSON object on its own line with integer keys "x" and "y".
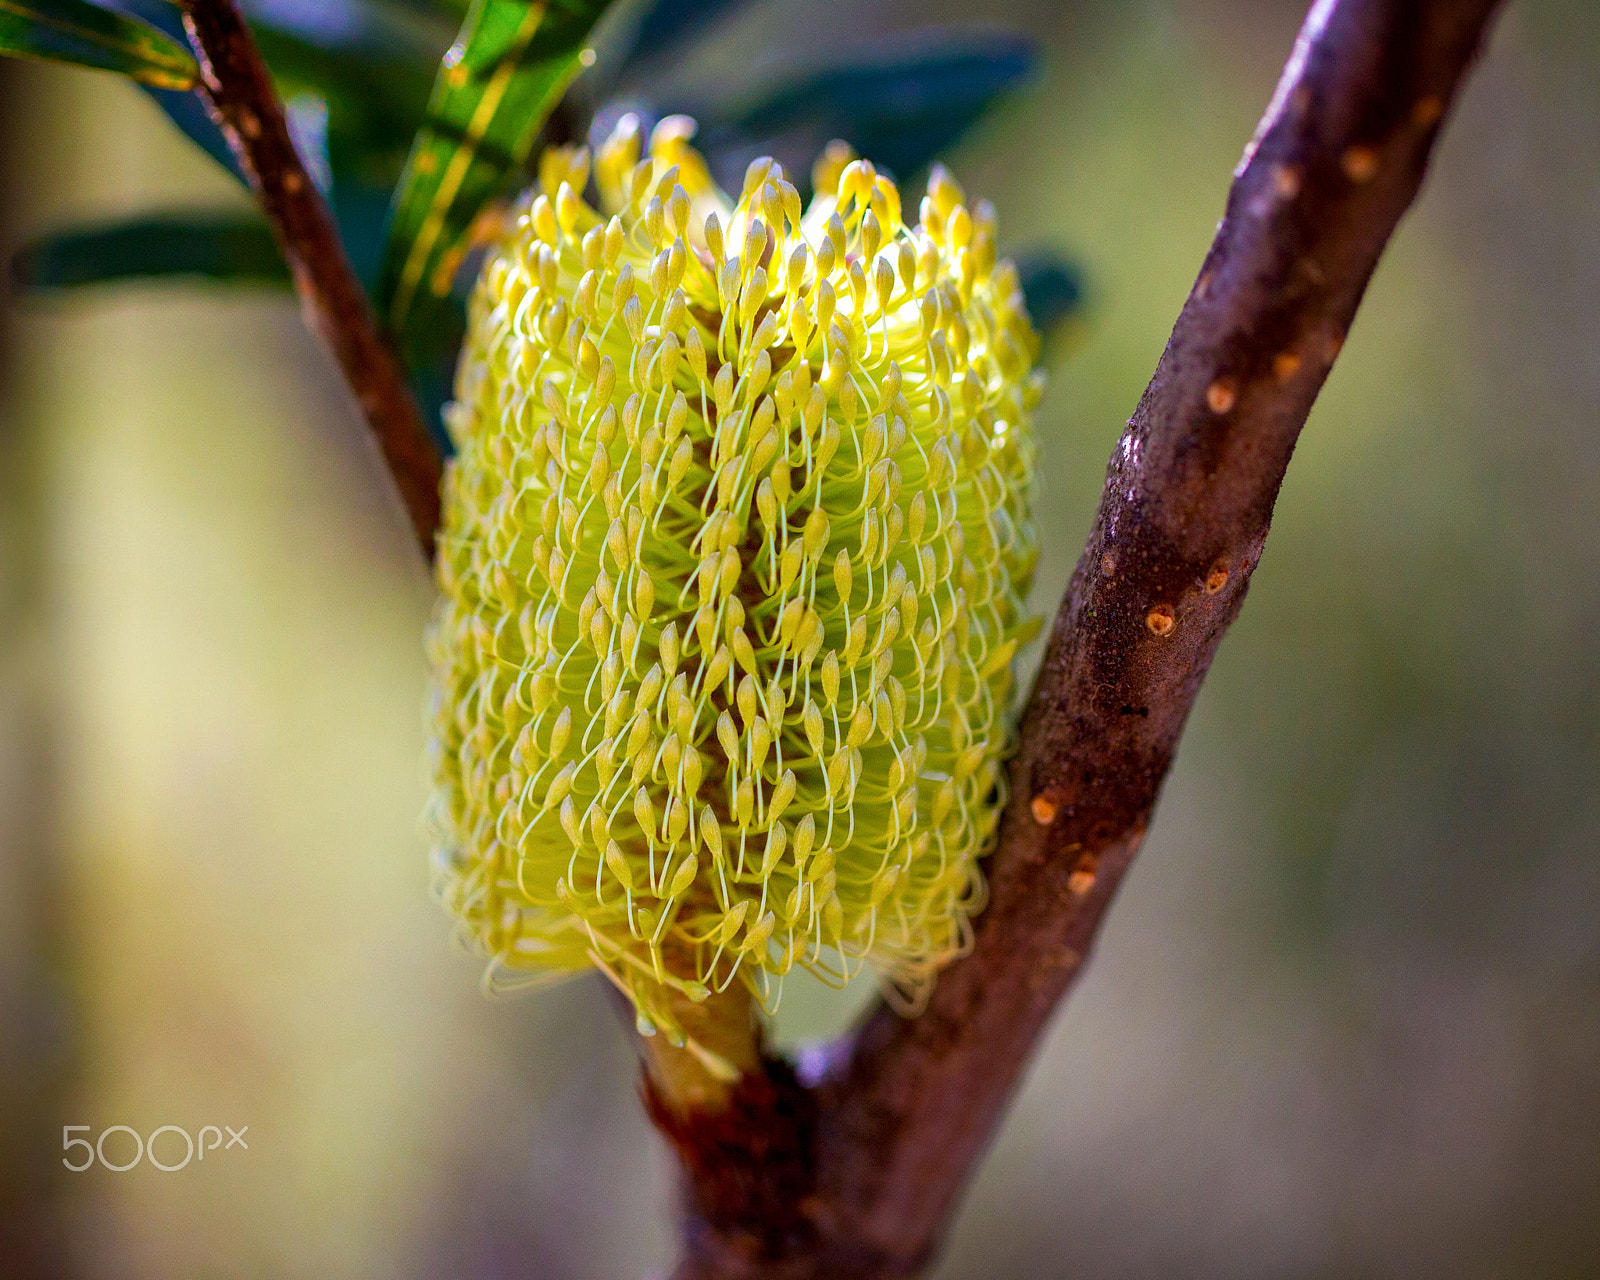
{"x": 1346, "y": 1015}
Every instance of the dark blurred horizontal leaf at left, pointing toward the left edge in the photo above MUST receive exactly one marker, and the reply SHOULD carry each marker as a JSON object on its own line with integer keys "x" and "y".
{"x": 228, "y": 247}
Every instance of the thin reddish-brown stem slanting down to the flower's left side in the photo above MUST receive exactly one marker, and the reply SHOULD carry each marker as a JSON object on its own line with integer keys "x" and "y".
{"x": 244, "y": 103}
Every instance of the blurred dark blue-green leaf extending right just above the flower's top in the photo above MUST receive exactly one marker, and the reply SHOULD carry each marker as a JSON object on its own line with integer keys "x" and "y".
{"x": 900, "y": 106}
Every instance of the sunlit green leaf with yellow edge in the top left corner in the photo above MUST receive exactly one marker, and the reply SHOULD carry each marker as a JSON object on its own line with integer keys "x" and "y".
{"x": 87, "y": 36}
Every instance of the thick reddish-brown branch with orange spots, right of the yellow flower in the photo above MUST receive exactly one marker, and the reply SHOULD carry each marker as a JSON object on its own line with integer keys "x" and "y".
{"x": 882, "y": 1143}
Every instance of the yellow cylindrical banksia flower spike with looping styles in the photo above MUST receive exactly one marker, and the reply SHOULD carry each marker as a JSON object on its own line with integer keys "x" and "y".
{"x": 735, "y": 551}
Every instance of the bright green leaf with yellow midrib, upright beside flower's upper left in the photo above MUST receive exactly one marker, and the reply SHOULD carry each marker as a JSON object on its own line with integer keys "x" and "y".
{"x": 497, "y": 86}
